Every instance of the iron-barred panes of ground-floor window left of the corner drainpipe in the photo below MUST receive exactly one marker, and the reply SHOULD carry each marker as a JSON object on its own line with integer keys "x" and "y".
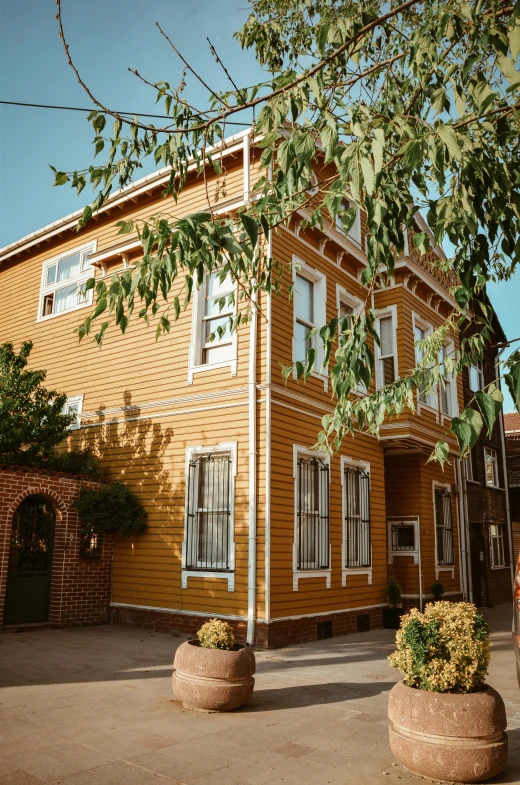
{"x": 208, "y": 529}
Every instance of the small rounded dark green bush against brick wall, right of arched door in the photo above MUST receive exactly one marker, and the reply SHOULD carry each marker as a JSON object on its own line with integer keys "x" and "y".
{"x": 113, "y": 509}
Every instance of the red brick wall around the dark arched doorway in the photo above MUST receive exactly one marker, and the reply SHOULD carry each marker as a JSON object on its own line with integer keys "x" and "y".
{"x": 80, "y": 588}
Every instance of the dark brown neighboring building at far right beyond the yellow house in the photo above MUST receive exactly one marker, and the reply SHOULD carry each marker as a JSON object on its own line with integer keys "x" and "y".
{"x": 487, "y": 552}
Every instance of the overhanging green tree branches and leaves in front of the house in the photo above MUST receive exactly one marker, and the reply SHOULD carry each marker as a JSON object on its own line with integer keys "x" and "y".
{"x": 411, "y": 107}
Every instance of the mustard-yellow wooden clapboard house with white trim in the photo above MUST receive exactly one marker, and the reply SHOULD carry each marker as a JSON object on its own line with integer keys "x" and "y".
{"x": 244, "y": 522}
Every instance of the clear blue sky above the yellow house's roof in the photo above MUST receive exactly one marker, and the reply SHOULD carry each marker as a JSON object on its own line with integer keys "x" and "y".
{"x": 106, "y": 37}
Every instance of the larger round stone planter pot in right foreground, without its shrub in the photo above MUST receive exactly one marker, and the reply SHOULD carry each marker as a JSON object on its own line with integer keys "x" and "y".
{"x": 443, "y": 736}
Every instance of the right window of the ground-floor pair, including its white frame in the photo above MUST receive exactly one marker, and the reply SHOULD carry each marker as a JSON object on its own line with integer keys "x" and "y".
{"x": 356, "y": 546}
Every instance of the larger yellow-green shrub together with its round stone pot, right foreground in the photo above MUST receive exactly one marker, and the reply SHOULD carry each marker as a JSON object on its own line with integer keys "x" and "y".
{"x": 445, "y": 722}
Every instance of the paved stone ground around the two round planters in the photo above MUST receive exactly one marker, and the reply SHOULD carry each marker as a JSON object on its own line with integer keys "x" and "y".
{"x": 94, "y": 706}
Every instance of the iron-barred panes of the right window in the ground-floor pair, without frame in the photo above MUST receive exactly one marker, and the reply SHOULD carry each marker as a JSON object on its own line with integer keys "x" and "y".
{"x": 356, "y": 487}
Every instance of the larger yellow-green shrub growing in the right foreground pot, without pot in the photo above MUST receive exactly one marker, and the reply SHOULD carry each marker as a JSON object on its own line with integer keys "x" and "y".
{"x": 443, "y": 649}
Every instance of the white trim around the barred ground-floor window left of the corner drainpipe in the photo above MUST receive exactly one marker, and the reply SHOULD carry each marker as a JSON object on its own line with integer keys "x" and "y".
{"x": 192, "y": 453}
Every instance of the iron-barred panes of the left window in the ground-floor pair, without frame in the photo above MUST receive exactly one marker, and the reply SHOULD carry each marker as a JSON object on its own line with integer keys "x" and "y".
{"x": 312, "y": 514}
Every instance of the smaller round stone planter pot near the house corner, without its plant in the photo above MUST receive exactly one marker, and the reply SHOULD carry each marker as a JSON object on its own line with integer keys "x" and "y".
{"x": 213, "y": 679}
